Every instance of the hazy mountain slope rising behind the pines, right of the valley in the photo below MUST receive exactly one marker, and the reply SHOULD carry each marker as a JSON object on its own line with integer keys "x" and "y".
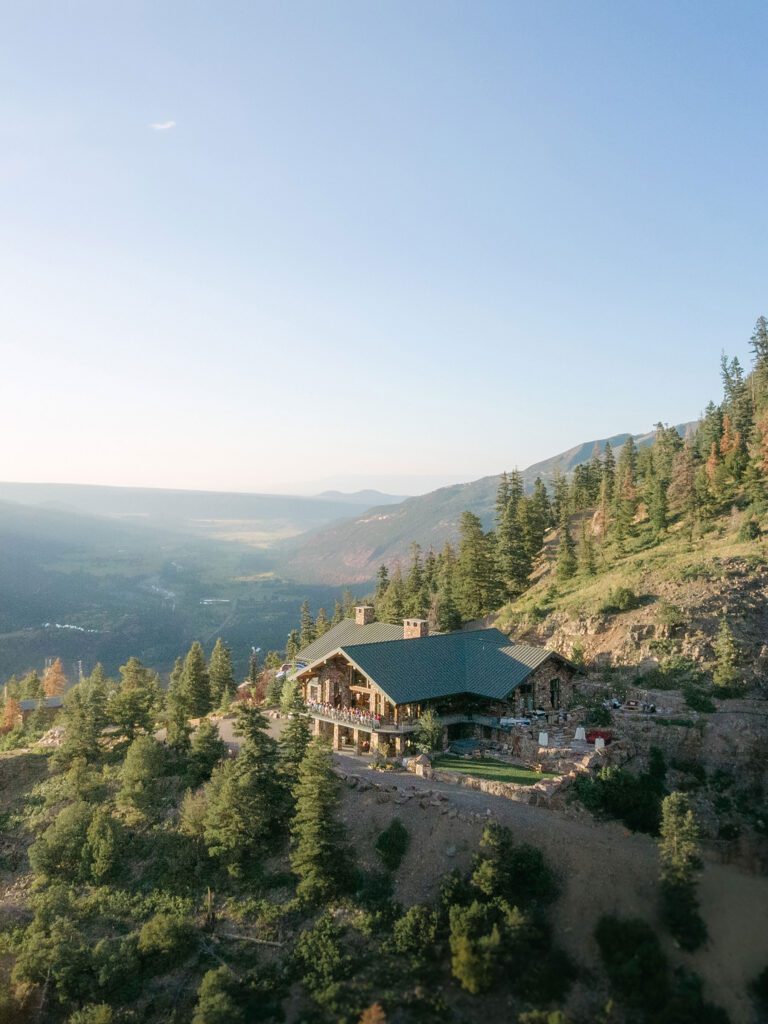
{"x": 352, "y": 551}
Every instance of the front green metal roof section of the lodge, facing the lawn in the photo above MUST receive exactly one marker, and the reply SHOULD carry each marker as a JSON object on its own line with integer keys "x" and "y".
{"x": 483, "y": 663}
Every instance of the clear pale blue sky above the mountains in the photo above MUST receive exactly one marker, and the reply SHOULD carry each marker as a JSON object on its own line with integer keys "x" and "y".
{"x": 293, "y": 245}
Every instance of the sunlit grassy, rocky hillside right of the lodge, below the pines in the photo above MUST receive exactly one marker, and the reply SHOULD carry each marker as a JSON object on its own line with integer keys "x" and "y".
{"x": 672, "y": 594}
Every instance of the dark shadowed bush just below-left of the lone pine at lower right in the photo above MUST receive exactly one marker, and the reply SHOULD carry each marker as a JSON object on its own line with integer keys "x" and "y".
{"x": 634, "y": 962}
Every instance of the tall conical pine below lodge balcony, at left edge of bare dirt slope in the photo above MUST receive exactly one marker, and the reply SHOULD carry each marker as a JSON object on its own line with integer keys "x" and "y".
{"x": 319, "y": 856}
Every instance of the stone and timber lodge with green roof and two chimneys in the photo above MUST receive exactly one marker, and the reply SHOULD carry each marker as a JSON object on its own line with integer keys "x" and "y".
{"x": 367, "y": 684}
